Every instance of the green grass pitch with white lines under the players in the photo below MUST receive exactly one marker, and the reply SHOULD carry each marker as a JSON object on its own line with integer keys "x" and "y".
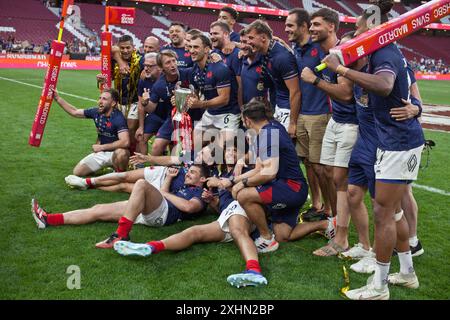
{"x": 33, "y": 262}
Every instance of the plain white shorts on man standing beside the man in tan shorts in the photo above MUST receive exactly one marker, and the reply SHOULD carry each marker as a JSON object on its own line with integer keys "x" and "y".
{"x": 337, "y": 143}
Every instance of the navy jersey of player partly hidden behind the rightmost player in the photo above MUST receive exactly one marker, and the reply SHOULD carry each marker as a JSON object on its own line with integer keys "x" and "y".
{"x": 364, "y": 151}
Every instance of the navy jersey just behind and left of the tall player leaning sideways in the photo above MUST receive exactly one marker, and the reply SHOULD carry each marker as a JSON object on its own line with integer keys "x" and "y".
{"x": 250, "y": 74}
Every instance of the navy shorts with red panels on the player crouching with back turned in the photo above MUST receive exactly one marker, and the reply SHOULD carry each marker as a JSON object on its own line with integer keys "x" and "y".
{"x": 284, "y": 198}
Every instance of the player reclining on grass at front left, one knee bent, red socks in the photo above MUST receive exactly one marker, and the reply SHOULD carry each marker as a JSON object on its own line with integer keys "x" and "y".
{"x": 148, "y": 205}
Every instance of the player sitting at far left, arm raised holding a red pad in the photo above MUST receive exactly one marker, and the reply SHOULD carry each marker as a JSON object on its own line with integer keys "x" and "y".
{"x": 111, "y": 148}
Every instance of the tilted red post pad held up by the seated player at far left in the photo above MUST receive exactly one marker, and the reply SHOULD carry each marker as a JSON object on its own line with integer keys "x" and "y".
{"x": 51, "y": 78}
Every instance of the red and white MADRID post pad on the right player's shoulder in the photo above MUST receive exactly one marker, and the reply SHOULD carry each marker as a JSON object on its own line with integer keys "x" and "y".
{"x": 392, "y": 31}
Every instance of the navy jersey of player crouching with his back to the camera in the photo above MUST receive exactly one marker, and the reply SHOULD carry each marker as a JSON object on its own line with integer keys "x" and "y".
{"x": 274, "y": 141}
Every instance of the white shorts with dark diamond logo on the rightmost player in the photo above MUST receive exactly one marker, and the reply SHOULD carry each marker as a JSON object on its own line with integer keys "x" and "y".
{"x": 398, "y": 165}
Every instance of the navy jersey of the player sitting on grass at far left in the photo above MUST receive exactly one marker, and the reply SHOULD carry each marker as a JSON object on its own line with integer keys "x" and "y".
{"x": 108, "y": 128}
